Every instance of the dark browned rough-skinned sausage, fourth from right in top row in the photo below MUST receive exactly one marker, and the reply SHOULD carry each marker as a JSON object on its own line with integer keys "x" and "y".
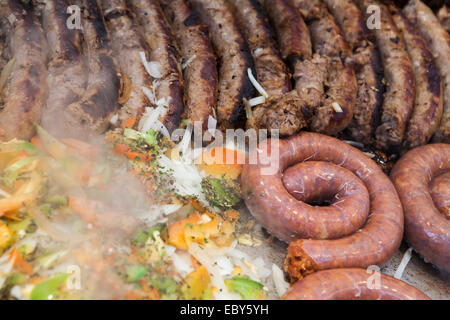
{"x": 367, "y": 65}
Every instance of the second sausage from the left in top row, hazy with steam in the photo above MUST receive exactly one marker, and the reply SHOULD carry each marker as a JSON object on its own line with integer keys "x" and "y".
{"x": 66, "y": 75}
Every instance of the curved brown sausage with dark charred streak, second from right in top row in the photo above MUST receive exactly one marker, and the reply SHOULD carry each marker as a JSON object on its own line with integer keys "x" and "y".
{"x": 428, "y": 102}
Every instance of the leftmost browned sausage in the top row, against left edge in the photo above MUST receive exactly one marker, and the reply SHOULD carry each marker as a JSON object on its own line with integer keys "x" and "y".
{"x": 26, "y": 91}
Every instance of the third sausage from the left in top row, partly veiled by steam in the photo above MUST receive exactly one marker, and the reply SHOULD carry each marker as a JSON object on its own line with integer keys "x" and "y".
{"x": 99, "y": 102}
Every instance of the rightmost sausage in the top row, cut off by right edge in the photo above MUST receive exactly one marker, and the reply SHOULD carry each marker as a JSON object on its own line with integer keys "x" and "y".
{"x": 439, "y": 43}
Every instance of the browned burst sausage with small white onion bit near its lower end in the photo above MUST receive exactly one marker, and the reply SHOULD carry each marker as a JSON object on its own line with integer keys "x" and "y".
{"x": 338, "y": 89}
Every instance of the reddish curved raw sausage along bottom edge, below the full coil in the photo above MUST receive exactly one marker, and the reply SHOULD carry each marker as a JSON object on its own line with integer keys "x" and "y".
{"x": 352, "y": 284}
